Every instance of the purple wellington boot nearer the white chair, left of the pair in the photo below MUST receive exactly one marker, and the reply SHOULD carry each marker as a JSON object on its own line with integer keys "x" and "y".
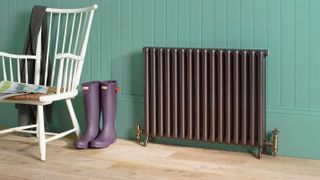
{"x": 91, "y": 97}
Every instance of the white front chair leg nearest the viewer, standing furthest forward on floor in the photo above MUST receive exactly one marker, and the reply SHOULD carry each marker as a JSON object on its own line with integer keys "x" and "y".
{"x": 42, "y": 137}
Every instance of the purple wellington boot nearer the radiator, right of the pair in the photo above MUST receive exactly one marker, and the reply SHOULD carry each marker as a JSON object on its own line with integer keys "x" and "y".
{"x": 108, "y": 96}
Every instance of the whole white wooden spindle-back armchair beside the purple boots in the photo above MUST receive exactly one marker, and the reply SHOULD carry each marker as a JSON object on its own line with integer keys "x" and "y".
{"x": 68, "y": 34}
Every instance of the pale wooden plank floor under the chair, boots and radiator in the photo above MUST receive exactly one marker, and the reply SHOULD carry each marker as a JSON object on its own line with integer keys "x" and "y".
{"x": 127, "y": 160}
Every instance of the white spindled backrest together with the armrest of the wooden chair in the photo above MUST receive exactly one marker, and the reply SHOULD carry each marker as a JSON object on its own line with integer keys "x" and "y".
{"x": 67, "y": 39}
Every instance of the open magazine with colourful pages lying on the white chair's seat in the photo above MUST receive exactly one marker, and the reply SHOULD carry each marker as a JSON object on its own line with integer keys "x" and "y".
{"x": 8, "y": 89}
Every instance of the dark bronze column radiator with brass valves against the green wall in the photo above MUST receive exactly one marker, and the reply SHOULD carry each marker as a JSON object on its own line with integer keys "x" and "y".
{"x": 214, "y": 95}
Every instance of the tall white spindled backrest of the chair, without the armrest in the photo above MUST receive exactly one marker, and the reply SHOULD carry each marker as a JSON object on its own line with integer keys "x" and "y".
{"x": 68, "y": 34}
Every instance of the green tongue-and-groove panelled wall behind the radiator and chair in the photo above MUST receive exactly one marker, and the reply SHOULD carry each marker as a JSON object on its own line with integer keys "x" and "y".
{"x": 289, "y": 29}
